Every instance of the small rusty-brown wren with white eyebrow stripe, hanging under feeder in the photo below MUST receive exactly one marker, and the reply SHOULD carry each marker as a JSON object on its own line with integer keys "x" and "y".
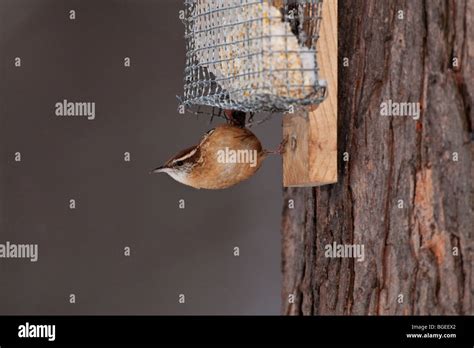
{"x": 225, "y": 156}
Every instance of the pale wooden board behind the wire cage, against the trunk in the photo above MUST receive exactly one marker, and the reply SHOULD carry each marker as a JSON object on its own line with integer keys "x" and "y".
{"x": 311, "y": 153}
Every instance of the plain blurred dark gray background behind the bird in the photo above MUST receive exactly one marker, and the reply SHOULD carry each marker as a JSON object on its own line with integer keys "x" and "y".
{"x": 118, "y": 203}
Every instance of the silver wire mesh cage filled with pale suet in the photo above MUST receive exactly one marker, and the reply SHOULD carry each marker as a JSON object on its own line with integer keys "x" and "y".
{"x": 252, "y": 55}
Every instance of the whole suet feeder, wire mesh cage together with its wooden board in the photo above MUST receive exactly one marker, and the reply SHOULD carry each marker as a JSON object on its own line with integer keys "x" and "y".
{"x": 270, "y": 55}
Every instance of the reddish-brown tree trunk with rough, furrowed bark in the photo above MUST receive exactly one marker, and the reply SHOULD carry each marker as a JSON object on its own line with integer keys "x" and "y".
{"x": 409, "y": 251}
